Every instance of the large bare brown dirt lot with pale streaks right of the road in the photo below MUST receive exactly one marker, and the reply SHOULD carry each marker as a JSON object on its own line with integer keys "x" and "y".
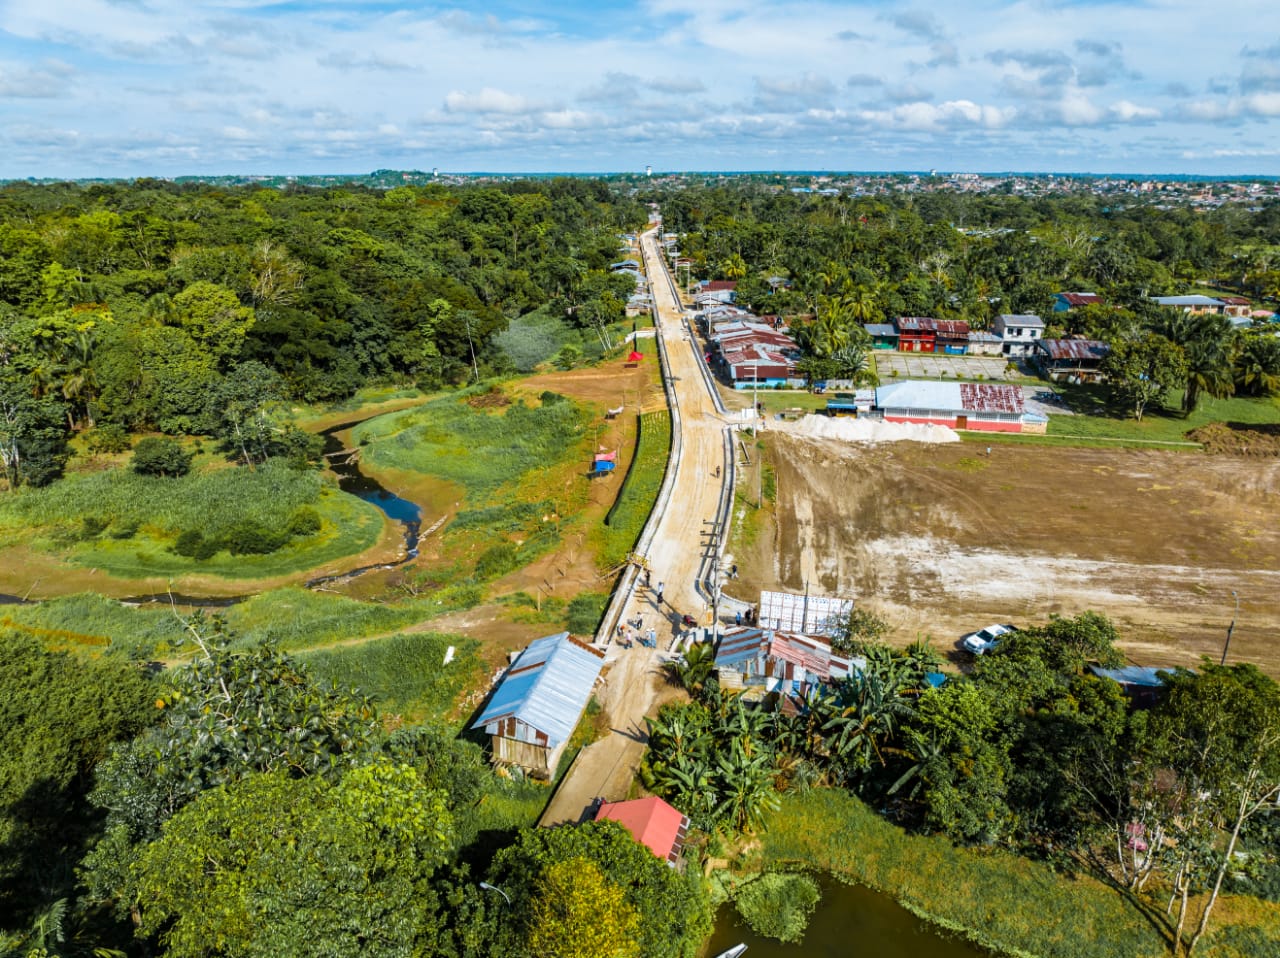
{"x": 944, "y": 540}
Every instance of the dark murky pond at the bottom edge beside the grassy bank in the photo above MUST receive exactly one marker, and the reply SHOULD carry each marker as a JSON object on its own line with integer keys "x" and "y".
{"x": 851, "y": 921}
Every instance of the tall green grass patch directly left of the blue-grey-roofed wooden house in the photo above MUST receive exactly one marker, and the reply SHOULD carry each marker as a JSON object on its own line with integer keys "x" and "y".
{"x": 405, "y": 674}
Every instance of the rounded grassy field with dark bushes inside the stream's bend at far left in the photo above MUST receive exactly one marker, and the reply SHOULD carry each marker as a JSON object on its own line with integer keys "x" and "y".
{"x": 127, "y": 524}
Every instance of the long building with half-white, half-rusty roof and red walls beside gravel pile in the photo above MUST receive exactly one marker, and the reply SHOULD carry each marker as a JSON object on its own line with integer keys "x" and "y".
{"x": 980, "y": 407}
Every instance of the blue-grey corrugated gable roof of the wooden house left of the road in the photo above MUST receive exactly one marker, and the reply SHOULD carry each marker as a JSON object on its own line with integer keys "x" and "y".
{"x": 547, "y": 687}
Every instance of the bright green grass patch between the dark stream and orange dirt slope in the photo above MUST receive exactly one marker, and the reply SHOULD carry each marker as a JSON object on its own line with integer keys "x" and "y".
{"x": 483, "y": 450}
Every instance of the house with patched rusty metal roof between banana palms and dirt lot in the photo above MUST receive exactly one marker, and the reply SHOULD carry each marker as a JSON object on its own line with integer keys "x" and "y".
{"x": 769, "y": 662}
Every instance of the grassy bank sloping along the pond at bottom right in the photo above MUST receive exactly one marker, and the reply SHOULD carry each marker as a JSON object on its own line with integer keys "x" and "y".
{"x": 994, "y": 898}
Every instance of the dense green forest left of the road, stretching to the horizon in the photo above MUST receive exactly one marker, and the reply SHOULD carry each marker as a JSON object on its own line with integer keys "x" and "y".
{"x": 193, "y": 309}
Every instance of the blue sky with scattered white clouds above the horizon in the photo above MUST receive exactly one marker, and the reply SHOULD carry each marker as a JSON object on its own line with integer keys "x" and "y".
{"x": 170, "y": 88}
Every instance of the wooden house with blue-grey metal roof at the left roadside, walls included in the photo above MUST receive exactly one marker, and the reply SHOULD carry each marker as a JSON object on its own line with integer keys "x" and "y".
{"x": 540, "y": 702}
